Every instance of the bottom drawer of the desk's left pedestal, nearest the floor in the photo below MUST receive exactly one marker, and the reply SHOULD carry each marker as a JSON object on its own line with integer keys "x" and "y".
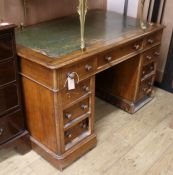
{"x": 76, "y": 131}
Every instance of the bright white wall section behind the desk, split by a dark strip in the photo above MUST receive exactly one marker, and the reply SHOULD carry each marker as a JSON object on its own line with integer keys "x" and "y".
{"x": 118, "y": 6}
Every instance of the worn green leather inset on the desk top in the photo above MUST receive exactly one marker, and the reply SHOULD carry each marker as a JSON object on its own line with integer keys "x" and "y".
{"x": 60, "y": 37}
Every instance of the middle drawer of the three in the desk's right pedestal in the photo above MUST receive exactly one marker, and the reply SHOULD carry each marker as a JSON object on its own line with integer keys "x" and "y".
{"x": 148, "y": 69}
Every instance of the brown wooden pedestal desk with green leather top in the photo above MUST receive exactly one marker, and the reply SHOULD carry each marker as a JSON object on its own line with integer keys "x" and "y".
{"x": 61, "y": 121}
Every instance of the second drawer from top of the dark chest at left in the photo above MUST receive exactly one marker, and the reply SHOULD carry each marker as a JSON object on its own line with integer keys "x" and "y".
{"x": 7, "y": 72}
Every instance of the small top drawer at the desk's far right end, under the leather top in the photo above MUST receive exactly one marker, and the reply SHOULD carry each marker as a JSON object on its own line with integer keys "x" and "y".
{"x": 153, "y": 39}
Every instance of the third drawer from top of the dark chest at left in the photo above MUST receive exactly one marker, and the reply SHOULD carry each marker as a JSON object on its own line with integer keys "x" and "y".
{"x": 8, "y": 98}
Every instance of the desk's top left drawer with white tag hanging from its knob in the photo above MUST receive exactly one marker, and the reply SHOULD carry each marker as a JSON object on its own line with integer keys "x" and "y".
{"x": 82, "y": 70}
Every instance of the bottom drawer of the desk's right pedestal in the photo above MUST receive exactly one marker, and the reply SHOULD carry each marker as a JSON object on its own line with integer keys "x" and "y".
{"x": 146, "y": 87}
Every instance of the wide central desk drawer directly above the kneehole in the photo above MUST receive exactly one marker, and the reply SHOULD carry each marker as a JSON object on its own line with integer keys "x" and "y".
{"x": 119, "y": 52}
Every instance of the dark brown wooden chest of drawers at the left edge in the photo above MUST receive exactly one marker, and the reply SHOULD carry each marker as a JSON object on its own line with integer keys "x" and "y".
{"x": 12, "y": 125}
